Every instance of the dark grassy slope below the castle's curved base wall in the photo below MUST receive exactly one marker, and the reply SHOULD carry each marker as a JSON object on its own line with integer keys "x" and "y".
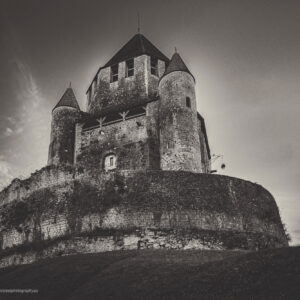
{"x": 158, "y": 274}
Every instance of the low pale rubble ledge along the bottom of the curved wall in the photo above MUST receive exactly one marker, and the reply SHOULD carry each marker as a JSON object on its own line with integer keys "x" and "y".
{"x": 135, "y": 239}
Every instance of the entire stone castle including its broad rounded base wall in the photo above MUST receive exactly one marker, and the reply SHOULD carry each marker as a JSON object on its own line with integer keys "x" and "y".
{"x": 132, "y": 171}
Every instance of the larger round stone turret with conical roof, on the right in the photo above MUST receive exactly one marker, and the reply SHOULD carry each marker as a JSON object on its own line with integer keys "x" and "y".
{"x": 179, "y": 137}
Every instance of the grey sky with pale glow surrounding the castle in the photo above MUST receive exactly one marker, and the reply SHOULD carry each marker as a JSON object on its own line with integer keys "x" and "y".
{"x": 244, "y": 54}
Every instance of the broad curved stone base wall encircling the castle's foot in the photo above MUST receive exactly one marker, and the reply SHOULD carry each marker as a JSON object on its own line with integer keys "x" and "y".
{"x": 129, "y": 209}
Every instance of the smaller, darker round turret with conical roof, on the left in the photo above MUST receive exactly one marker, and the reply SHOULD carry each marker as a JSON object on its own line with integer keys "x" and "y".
{"x": 64, "y": 117}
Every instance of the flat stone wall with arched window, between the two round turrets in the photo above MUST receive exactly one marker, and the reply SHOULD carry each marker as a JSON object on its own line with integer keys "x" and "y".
{"x": 134, "y": 142}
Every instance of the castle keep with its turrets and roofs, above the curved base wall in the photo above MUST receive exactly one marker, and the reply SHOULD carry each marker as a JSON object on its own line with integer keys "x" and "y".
{"x": 141, "y": 114}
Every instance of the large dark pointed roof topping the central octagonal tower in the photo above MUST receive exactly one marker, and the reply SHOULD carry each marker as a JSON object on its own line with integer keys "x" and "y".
{"x": 136, "y": 46}
